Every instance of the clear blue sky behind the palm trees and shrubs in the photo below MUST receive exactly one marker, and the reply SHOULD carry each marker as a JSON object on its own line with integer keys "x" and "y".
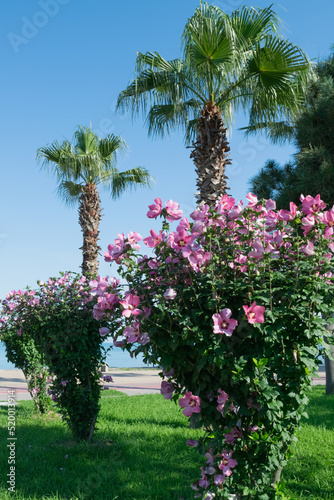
{"x": 64, "y": 63}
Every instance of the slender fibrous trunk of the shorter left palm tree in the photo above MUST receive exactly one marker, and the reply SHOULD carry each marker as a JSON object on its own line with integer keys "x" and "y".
{"x": 89, "y": 220}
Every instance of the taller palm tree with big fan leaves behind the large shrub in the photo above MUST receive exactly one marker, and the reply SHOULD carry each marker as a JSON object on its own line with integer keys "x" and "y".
{"x": 229, "y": 63}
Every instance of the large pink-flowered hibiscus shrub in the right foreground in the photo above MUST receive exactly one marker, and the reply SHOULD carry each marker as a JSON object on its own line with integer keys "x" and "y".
{"x": 228, "y": 305}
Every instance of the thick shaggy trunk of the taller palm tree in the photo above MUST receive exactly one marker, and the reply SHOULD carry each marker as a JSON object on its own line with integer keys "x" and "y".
{"x": 210, "y": 155}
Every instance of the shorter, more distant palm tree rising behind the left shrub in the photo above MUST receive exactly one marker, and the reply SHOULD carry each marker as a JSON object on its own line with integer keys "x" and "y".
{"x": 80, "y": 168}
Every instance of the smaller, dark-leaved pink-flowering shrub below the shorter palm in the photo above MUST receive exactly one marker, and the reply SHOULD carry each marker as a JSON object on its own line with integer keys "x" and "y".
{"x": 57, "y": 317}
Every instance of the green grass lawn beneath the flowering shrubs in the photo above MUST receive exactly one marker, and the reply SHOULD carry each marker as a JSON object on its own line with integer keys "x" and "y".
{"x": 139, "y": 453}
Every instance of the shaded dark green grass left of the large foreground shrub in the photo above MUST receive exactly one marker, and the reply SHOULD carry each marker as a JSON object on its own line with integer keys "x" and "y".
{"x": 124, "y": 462}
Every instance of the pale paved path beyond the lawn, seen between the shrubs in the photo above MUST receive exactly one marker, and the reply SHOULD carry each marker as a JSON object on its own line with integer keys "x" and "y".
{"x": 132, "y": 382}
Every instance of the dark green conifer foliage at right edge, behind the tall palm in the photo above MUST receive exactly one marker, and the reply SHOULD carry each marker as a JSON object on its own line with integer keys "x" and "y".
{"x": 312, "y": 170}
